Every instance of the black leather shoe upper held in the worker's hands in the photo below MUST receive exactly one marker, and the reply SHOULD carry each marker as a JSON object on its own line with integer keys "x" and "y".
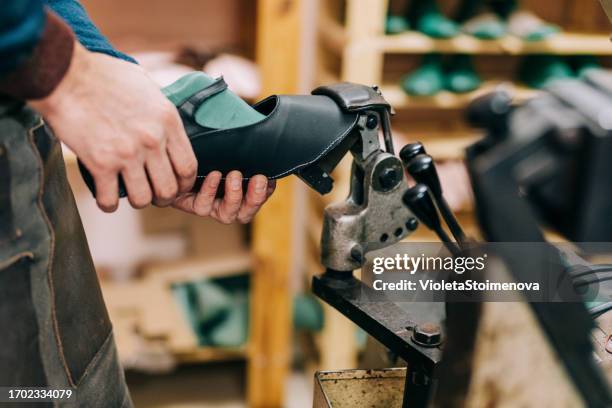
{"x": 297, "y": 131}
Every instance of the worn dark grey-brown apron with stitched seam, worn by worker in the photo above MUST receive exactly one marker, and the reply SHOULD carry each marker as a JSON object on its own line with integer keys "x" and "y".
{"x": 56, "y": 331}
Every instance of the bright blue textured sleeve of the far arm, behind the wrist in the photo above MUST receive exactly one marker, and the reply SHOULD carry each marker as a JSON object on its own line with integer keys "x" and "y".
{"x": 88, "y": 34}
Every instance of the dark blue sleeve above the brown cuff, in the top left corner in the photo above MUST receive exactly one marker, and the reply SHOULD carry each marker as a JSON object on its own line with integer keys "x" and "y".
{"x": 21, "y": 25}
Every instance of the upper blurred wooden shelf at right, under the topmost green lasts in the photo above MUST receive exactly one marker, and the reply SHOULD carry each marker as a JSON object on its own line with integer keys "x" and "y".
{"x": 566, "y": 43}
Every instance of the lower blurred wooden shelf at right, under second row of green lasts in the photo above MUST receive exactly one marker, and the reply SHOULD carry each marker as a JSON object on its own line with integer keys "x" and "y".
{"x": 448, "y": 100}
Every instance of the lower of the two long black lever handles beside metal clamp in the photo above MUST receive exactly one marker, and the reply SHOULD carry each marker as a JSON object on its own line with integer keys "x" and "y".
{"x": 419, "y": 201}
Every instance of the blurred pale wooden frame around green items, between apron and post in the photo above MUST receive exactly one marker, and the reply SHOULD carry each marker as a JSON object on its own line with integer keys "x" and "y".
{"x": 144, "y": 311}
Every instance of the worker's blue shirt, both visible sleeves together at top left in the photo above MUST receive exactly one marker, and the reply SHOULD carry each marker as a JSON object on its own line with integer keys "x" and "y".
{"x": 22, "y": 23}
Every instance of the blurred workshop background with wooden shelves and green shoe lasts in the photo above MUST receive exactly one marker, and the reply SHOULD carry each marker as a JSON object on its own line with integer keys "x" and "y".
{"x": 214, "y": 315}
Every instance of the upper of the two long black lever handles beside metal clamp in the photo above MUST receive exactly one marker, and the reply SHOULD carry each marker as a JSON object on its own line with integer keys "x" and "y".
{"x": 423, "y": 170}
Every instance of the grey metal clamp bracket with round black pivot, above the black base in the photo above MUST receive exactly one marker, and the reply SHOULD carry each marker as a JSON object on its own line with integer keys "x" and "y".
{"x": 373, "y": 215}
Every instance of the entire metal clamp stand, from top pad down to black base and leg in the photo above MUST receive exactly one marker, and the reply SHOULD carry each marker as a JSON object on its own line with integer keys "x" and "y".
{"x": 372, "y": 217}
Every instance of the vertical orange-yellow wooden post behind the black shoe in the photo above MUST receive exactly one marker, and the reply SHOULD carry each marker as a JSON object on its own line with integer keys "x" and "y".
{"x": 277, "y": 51}
